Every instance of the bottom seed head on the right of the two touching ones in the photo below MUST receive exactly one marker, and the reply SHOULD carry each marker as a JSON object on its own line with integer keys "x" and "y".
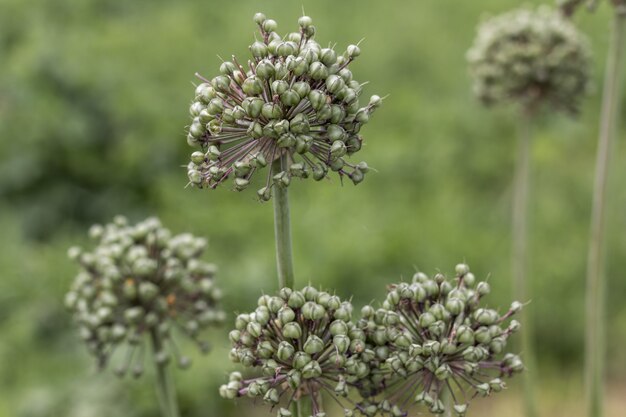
{"x": 431, "y": 336}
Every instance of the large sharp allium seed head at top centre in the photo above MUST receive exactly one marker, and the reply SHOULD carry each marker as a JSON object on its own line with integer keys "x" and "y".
{"x": 294, "y": 103}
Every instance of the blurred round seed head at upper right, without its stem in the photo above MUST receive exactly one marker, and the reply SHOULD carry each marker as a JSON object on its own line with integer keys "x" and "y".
{"x": 530, "y": 57}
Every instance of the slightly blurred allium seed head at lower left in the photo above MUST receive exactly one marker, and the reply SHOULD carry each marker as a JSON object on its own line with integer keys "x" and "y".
{"x": 141, "y": 282}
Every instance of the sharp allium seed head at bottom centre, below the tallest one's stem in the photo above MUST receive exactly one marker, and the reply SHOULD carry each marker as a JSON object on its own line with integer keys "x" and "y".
{"x": 302, "y": 343}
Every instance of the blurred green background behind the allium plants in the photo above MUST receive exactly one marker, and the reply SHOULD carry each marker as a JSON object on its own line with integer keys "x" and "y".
{"x": 93, "y": 104}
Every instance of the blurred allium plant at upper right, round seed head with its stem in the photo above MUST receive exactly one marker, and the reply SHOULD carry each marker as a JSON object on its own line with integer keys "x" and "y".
{"x": 535, "y": 59}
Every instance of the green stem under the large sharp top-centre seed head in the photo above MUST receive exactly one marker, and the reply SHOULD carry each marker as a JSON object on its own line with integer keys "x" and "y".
{"x": 282, "y": 230}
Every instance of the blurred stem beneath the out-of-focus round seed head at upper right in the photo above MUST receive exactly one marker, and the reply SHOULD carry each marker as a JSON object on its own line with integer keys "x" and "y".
{"x": 520, "y": 252}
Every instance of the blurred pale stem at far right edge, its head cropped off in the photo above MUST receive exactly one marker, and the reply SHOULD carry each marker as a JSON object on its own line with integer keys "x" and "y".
{"x": 595, "y": 315}
